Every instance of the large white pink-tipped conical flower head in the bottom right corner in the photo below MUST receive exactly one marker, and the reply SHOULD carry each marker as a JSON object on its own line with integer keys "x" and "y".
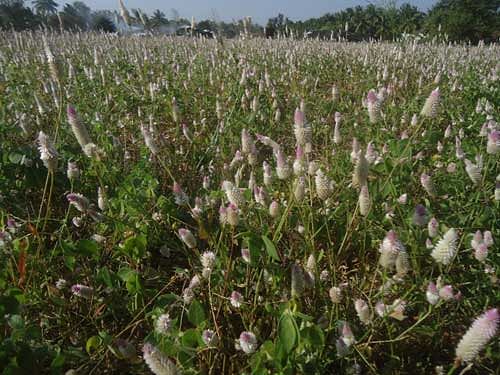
{"x": 483, "y": 329}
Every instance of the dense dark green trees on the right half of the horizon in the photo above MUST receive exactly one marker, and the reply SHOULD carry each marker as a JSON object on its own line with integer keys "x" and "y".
{"x": 457, "y": 20}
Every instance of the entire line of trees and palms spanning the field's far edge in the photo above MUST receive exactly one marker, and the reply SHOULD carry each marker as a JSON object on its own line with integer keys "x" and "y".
{"x": 456, "y": 20}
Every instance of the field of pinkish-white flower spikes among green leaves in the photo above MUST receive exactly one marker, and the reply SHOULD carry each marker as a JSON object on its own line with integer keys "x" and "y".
{"x": 179, "y": 205}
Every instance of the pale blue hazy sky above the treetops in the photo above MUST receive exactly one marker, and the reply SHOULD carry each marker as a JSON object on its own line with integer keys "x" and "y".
{"x": 259, "y": 10}
